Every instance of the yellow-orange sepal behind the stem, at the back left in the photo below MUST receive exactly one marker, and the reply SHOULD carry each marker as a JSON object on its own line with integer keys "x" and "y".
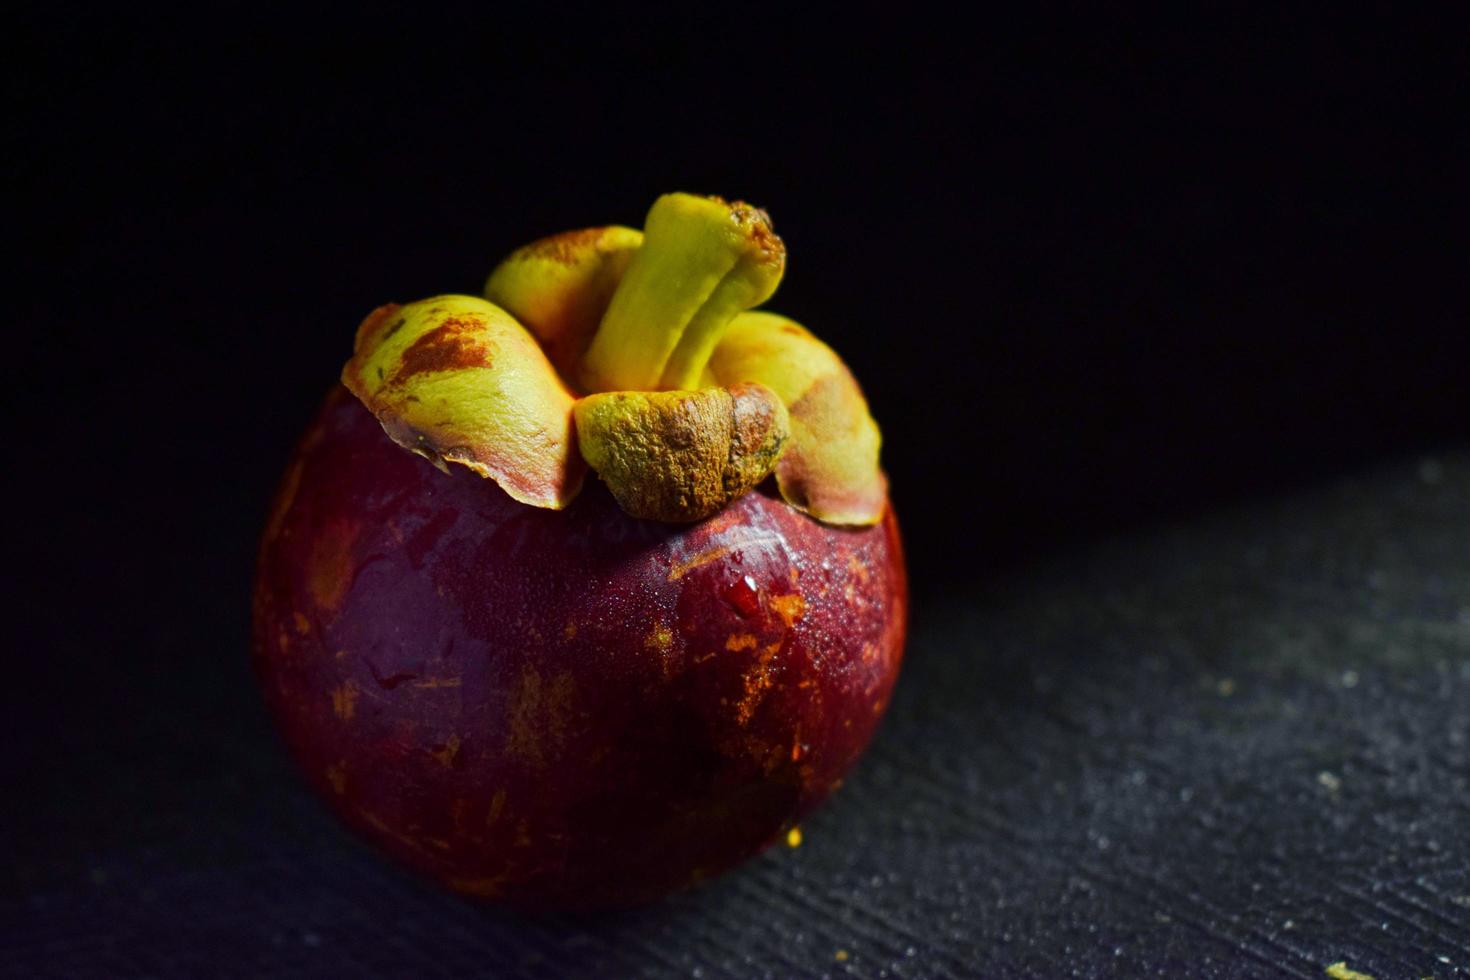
{"x": 559, "y": 287}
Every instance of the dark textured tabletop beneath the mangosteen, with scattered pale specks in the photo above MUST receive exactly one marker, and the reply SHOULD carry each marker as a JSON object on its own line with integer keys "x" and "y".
{"x": 1236, "y": 747}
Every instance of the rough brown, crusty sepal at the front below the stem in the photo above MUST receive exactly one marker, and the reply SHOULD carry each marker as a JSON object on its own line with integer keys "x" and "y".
{"x": 681, "y": 456}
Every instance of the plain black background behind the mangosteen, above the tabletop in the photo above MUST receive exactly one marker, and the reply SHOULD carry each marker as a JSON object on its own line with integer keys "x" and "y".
{"x": 1096, "y": 278}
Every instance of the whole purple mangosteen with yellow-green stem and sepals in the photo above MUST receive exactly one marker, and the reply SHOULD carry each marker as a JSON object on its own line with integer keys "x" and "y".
{"x": 499, "y": 675}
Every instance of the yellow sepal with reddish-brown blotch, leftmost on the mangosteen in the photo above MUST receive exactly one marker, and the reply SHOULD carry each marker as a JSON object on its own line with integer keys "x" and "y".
{"x": 458, "y": 380}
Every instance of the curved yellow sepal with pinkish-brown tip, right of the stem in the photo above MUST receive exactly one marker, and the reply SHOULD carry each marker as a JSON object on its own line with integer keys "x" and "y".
{"x": 830, "y": 469}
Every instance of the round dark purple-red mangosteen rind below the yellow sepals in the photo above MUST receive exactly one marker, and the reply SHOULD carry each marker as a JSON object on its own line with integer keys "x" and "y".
{"x": 564, "y": 709}
